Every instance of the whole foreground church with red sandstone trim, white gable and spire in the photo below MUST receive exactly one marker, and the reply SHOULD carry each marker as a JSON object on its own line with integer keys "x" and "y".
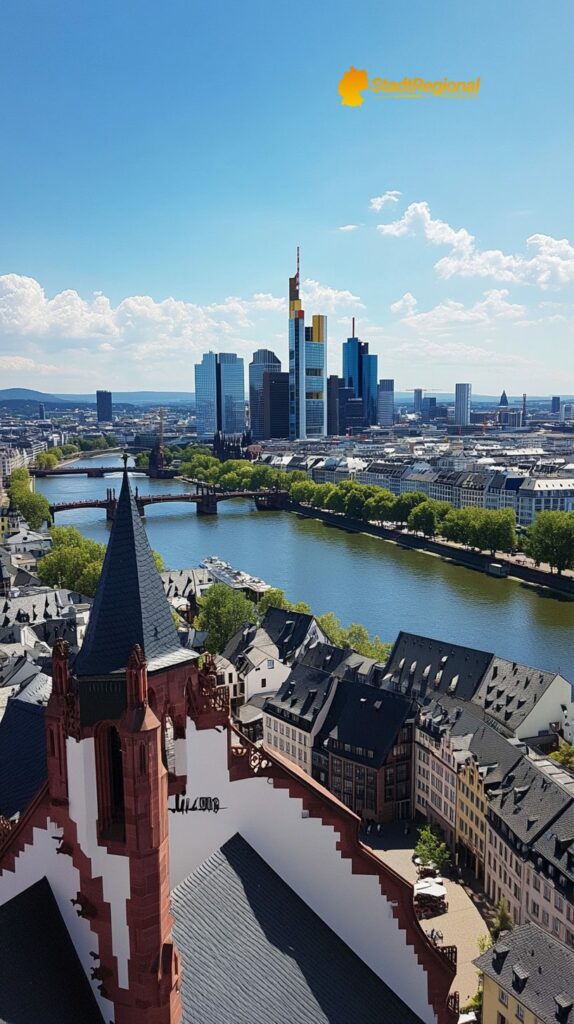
{"x": 178, "y": 918}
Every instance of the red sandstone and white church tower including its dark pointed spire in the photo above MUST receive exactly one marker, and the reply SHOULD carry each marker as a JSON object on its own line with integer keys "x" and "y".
{"x": 112, "y": 726}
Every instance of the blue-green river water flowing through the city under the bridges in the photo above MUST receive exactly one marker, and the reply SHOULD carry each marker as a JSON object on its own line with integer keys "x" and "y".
{"x": 360, "y": 578}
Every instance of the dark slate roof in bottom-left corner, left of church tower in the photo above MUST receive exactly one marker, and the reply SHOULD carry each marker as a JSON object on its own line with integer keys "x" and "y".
{"x": 41, "y": 978}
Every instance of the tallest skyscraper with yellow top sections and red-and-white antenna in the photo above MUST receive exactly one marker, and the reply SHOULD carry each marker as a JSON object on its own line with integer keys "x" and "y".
{"x": 307, "y": 369}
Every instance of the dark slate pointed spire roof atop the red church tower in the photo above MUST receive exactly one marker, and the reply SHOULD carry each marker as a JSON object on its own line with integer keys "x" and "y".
{"x": 130, "y": 607}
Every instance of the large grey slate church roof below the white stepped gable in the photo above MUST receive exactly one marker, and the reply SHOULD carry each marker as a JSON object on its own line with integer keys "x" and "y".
{"x": 253, "y": 953}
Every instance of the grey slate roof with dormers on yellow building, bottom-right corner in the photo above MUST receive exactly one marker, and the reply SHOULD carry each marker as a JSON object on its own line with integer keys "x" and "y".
{"x": 546, "y": 966}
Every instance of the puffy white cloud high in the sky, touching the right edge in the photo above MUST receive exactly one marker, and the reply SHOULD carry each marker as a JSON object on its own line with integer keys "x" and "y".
{"x": 549, "y": 263}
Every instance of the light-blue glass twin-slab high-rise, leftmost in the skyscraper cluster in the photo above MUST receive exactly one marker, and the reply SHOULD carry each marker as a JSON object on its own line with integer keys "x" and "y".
{"x": 220, "y": 395}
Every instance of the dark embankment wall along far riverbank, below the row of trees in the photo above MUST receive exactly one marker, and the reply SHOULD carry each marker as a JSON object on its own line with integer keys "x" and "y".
{"x": 451, "y": 552}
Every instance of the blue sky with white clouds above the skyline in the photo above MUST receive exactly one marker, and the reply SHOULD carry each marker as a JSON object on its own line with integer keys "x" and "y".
{"x": 161, "y": 162}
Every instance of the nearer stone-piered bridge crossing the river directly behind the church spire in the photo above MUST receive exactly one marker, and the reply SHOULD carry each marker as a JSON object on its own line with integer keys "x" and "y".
{"x": 206, "y": 500}
